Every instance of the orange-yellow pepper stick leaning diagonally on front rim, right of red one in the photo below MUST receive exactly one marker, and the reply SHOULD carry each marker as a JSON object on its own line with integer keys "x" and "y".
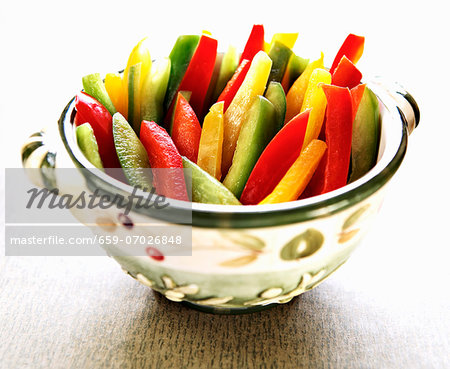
{"x": 299, "y": 174}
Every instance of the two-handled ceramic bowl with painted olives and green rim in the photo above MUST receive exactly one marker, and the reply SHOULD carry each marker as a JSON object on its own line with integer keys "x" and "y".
{"x": 246, "y": 258}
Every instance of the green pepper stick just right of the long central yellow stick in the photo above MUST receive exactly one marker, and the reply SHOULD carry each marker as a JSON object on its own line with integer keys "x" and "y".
{"x": 257, "y": 130}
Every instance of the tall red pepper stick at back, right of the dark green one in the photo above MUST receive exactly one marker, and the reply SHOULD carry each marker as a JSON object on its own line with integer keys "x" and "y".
{"x": 199, "y": 72}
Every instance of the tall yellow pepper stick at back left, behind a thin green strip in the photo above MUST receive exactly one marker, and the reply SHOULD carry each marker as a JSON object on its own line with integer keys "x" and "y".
{"x": 139, "y": 54}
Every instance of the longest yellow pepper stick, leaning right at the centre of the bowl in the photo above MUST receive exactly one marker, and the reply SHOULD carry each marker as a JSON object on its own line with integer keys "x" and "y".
{"x": 253, "y": 85}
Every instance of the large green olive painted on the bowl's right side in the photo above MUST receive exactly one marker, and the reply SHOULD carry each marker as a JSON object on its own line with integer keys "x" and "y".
{"x": 303, "y": 245}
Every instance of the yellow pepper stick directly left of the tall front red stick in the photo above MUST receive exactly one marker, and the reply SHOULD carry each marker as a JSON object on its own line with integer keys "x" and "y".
{"x": 315, "y": 100}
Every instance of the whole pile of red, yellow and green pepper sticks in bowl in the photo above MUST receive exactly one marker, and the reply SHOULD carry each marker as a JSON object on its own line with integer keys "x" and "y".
{"x": 258, "y": 127}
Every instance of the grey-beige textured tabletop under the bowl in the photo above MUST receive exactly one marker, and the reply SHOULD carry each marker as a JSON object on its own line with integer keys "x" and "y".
{"x": 85, "y": 313}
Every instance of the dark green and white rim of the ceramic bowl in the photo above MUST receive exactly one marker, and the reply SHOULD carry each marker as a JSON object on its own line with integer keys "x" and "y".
{"x": 258, "y": 216}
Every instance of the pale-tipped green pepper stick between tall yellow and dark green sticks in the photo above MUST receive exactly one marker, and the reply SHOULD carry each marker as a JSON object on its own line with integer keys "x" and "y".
{"x": 154, "y": 90}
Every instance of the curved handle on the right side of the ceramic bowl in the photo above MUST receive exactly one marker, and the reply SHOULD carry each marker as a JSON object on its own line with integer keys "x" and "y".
{"x": 402, "y": 99}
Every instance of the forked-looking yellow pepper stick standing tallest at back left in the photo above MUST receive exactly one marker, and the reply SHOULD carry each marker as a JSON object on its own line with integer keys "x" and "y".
{"x": 139, "y": 54}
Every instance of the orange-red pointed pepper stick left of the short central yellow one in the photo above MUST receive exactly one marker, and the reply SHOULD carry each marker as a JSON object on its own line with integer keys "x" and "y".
{"x": 186, "y": 129}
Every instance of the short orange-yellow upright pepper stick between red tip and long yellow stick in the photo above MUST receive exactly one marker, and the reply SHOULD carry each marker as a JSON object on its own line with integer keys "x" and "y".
{"x": 211, "y": 140}
